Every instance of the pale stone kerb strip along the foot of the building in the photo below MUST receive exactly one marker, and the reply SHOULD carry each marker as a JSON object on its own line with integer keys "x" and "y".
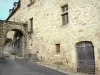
{"x": 59, "y": 70}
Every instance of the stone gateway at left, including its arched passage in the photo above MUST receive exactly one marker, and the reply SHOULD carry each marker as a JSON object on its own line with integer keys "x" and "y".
{"x": 18, "y": 43}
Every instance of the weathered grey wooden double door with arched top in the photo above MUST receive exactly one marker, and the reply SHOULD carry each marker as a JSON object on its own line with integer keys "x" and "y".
{"x": 85, "y": 56}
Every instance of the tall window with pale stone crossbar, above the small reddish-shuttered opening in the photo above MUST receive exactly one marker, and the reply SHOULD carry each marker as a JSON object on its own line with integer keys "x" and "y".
{"x": 65, "y": 14}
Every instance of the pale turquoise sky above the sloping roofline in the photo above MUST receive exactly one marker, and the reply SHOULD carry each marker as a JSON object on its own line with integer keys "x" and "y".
{"x": 5, "y": 5}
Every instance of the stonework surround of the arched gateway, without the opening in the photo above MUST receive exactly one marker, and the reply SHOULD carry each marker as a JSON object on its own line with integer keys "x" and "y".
{"x": 12, "y": 26}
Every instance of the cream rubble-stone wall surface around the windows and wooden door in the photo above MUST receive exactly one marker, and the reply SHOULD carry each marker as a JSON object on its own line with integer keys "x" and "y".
{"x": 84, "y": 20}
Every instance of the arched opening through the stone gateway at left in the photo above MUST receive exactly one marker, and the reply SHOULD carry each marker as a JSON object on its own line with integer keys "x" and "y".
{"x": 14, "y": 42}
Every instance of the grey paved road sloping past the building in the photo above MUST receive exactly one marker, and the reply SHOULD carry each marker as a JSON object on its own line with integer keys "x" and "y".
{"x": 22, "y": 67}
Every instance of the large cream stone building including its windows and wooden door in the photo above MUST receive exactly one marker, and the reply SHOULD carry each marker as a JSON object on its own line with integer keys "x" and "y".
{"x": 65, "y": 33}
